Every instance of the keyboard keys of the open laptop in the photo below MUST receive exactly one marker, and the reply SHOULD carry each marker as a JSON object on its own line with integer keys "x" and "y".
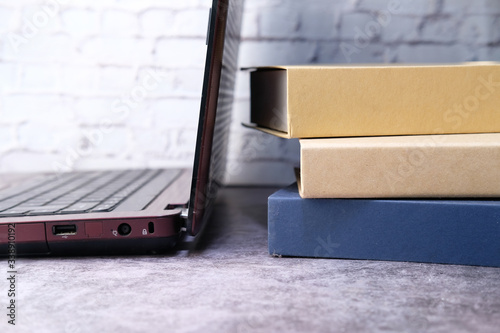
{"x": 74, "y": 193}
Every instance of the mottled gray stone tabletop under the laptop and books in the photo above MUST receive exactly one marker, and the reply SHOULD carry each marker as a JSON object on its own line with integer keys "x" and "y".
{"x": 231, "y": 284}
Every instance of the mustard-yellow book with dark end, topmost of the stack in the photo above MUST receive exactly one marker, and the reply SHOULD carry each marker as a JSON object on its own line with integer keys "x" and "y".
{"x": 370, "y": 100}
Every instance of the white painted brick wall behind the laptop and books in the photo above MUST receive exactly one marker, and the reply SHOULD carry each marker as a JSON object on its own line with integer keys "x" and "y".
{"x": 78, "y": 87}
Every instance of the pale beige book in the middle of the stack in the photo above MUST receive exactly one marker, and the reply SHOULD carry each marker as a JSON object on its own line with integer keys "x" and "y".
{"x": 460, "y": 165}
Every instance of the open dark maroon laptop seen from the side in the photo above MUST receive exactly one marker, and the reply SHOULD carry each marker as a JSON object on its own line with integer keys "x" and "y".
{"x": 131, "y": 211}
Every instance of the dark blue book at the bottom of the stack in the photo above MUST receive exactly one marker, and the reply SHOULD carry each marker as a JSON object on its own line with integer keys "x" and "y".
{"x": 464, "y": 232}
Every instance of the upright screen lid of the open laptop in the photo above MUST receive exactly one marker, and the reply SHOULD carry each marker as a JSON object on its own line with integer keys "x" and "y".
{"x": 215, "y": 113}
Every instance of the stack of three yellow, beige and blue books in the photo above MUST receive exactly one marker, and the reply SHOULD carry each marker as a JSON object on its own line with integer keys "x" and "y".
{"x": 398, "y": 162}
